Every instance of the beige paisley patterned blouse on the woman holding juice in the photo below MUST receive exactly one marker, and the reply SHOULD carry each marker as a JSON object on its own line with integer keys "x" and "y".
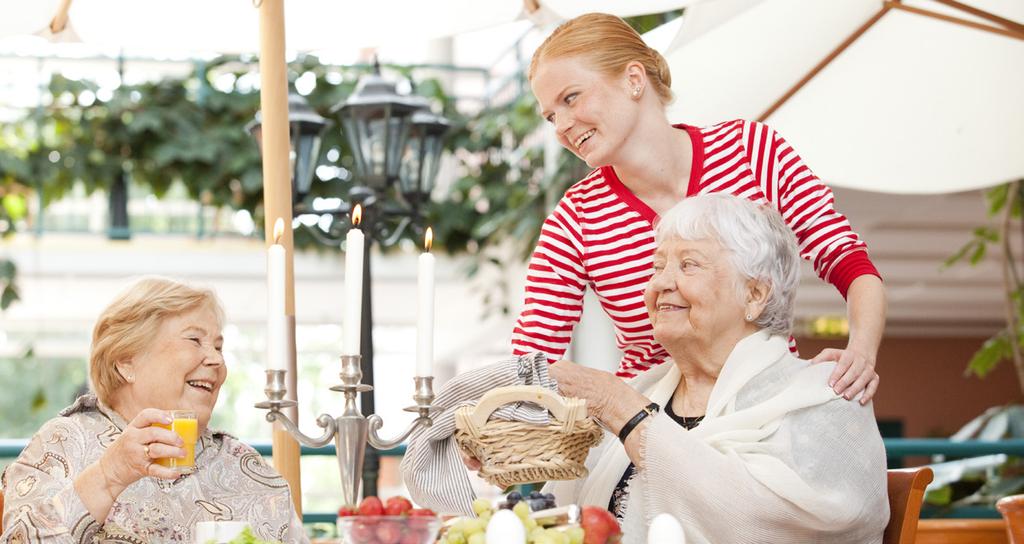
{"x": 232, "y": 482}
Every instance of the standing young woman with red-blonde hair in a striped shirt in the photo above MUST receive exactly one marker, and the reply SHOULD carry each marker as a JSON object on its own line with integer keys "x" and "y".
{"x": 606, "y": 93}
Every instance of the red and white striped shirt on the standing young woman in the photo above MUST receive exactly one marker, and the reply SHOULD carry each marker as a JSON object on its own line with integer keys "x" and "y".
{"x": 603, "y": 236}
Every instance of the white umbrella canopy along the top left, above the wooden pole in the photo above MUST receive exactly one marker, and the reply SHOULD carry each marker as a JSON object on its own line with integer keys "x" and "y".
{"x": 230, "y": 26}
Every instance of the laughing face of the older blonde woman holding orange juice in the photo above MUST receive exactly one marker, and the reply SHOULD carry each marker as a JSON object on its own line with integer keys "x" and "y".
{"x": 182, "y": 369}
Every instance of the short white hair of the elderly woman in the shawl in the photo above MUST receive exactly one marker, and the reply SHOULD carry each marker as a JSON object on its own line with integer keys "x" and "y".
{"x": 760, "y": 246}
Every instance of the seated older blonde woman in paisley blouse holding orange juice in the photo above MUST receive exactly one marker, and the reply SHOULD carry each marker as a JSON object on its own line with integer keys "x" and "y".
{"x": 92, "y": 475}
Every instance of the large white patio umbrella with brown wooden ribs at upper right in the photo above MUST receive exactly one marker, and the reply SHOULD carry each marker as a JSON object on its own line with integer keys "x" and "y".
{"x": 919, "y": 97}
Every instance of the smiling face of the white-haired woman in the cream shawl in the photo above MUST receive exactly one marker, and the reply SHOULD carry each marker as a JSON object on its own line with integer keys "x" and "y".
{"x": 693, "y": 300}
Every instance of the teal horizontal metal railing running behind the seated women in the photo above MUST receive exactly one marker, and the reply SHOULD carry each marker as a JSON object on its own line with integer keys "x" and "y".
{"x": 895, "y": 448}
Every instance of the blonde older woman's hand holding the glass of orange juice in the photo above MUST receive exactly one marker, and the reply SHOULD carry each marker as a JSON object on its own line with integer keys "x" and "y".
{"x": 133, "y": 456}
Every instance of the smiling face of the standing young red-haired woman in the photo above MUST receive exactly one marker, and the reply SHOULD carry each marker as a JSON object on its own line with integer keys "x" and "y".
{"x": 593, "y": 114}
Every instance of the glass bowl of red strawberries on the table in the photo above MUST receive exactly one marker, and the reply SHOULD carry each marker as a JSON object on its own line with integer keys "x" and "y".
{"x": 394, "y": 522}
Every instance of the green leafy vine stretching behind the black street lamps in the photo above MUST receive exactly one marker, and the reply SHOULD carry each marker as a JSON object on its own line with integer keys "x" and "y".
{"x": 191, "y": 130}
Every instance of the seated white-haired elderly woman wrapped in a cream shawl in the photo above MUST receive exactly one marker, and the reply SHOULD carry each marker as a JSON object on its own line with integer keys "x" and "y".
{"x": 735, "y": 436}
